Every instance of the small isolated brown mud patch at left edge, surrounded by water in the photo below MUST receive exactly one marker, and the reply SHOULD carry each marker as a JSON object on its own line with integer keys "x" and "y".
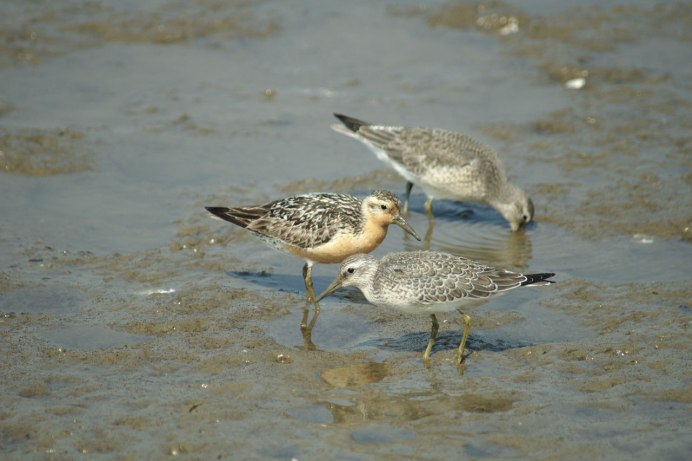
{"x": 43, "y": 153}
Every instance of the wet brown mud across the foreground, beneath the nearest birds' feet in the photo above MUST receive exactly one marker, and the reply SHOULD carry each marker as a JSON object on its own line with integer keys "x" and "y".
{"x": 203, "y": 371}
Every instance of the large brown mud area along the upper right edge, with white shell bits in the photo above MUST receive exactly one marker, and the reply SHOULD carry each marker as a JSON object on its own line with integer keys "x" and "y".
{"x": 624, "y": 119}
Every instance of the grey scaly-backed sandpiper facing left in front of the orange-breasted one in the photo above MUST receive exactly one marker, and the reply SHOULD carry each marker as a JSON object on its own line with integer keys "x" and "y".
{"x": 428, "y": 282}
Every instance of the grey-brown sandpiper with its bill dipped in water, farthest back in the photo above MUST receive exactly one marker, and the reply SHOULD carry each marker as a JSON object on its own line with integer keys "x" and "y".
{"x": 445, "y": 164}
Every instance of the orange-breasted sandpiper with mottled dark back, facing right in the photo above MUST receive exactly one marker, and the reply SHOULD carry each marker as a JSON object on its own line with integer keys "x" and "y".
{"x": 320, "y": 227}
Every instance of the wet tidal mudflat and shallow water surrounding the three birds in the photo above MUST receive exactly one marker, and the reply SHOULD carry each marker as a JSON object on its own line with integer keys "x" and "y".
{"x": 135, "y": 326}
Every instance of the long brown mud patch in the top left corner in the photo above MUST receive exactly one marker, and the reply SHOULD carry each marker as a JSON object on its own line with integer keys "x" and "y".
{"x": 36, "y": 34}
